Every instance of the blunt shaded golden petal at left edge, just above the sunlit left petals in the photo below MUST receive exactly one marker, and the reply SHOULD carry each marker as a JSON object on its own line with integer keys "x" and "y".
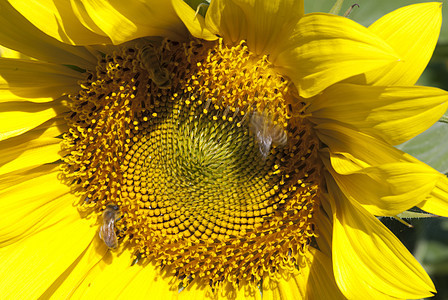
{"x": 33, "y": 79}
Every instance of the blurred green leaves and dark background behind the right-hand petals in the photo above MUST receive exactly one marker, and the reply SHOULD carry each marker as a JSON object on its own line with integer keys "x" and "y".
{"x": 428, "y": 240}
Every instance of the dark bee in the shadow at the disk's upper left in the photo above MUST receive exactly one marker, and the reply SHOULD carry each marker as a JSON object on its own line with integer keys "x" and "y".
{"x": 151, "y": 63}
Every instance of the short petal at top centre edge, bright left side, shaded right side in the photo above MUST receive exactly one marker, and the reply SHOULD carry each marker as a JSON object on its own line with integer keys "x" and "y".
{"x": 226, "y": 19}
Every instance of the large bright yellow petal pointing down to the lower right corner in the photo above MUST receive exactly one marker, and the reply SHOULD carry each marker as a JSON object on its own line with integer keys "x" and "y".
{"x": 369, "y": 261}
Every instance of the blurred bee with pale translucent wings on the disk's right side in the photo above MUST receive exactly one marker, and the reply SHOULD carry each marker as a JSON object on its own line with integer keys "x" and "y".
{"x": 266, "y": 133}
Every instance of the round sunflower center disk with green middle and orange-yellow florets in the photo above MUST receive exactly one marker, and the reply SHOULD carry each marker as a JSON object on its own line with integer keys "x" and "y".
{"x": 195, "y": 145}
